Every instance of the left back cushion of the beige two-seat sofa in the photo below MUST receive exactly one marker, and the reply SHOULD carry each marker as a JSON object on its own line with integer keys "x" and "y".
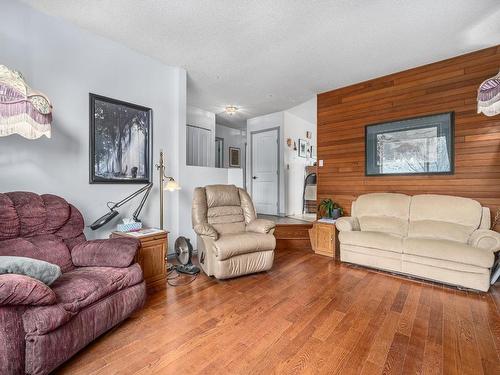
{"x": 383, "y": 212}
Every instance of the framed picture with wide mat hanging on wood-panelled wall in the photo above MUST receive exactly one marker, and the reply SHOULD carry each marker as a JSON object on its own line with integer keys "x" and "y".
{"x": 422, "y": 145}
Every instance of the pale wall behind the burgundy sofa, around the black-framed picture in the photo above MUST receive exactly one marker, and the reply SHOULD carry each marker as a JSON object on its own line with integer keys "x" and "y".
{"x": 66, "y": 63}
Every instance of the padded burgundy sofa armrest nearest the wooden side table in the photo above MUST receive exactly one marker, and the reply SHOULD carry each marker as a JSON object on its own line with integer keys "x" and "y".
{"x": 114, "y": 252}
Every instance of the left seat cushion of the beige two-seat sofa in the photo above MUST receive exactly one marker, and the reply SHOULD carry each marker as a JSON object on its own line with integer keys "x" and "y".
{"x": 374, "y": 240}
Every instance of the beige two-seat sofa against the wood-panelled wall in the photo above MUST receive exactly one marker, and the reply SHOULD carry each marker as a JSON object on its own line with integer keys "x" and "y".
{"x": 435, "y": 237}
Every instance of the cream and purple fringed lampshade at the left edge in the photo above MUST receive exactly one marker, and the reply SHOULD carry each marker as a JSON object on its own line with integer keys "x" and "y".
{"x": 23, "y": 110}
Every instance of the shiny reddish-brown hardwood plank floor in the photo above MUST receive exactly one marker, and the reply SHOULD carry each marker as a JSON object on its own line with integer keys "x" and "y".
{"x": 308, "y": 315}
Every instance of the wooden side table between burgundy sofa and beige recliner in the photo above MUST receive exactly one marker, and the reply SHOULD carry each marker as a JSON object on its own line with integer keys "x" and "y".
{"x": 151, "y": 257}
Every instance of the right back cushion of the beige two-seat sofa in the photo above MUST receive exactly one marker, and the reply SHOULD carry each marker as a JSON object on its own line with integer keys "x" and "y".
{"x": 444, "y": 217}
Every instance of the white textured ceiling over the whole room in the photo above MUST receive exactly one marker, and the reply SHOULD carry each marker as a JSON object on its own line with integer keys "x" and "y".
{"x": 268, "y": 55}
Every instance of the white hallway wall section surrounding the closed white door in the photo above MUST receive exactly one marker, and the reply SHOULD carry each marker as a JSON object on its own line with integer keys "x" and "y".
{"x": 273, "y": 120}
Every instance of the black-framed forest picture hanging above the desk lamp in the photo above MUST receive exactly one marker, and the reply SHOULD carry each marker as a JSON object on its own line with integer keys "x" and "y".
{"x": 120, "y": 141}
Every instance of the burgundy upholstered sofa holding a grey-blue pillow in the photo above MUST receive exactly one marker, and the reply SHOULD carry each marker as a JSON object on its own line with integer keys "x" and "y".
{"x": 100, "y": 285}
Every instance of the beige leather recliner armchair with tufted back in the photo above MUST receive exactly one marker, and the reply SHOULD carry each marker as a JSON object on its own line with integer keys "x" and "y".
{"x": 231, "y": 240}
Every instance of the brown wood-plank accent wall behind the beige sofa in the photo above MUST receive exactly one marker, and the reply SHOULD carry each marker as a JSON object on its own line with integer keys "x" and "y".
{"x": 449, "y": 85}
